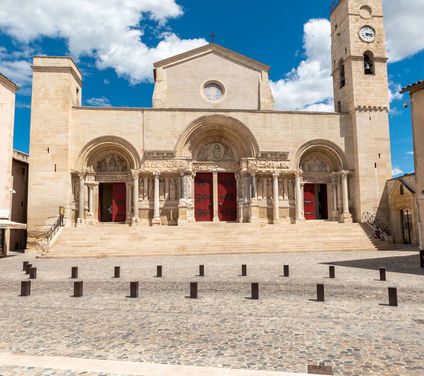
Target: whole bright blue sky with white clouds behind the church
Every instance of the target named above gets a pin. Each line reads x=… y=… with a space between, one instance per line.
x=115 y=46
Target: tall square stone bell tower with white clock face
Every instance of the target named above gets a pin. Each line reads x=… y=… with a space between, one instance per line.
x=361 y=90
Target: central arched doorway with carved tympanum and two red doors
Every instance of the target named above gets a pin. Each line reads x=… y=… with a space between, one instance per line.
x=216 y=145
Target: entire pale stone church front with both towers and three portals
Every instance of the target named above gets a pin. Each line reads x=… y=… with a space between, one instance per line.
x=212 y=147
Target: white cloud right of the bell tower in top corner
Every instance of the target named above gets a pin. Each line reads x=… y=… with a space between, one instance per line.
x=404 y=28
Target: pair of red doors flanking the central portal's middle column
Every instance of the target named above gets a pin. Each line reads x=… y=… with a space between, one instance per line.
x=226 y=197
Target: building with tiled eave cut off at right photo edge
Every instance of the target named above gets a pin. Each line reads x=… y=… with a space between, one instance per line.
x=417 y=107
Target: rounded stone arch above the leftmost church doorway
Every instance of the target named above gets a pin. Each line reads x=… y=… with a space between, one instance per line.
x=98 y=149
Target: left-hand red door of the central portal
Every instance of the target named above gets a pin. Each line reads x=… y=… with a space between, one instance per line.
x=203 y=191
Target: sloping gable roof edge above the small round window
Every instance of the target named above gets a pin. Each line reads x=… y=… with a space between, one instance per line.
x=217 y=49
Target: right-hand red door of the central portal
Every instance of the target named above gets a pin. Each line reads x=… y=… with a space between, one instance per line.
x=227 y=197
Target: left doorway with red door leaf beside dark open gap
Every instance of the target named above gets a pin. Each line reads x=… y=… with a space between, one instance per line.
x=112 y=205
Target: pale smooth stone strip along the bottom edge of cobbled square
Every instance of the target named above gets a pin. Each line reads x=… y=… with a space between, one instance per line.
x=124 y=367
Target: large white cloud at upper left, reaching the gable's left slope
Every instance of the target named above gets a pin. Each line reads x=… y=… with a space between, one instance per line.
x=108 y=30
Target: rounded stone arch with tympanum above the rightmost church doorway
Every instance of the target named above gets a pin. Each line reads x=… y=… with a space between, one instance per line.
x=321 y=156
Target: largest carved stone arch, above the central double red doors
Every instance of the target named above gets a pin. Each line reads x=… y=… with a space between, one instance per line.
x=220 y=129
